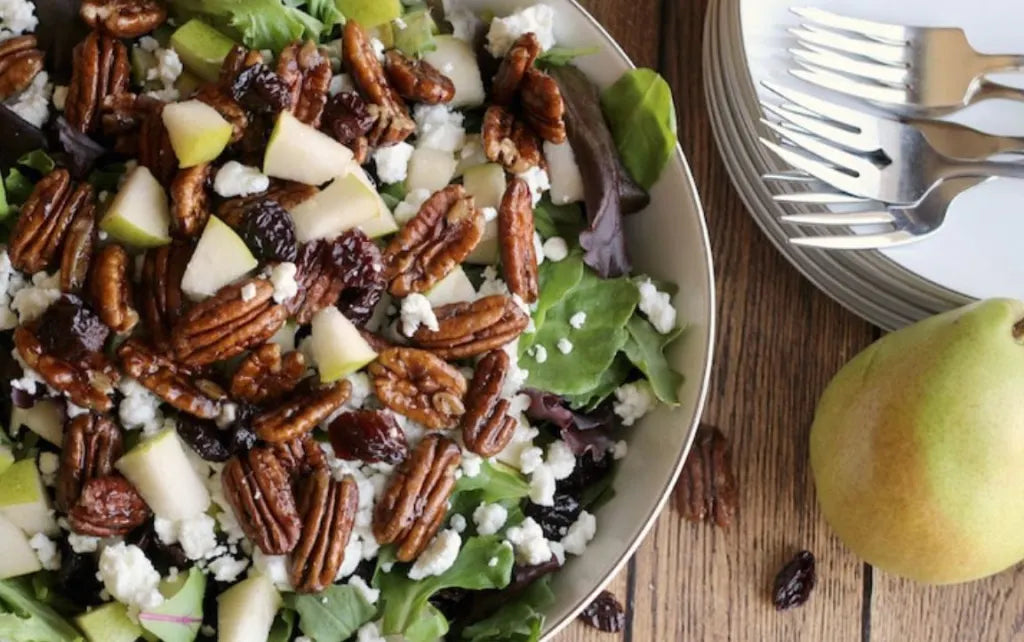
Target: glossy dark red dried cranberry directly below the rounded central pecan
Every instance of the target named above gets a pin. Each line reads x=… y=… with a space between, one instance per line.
x=371 y=437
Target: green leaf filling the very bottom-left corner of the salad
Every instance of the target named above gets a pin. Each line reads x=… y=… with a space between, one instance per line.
x=30 y=621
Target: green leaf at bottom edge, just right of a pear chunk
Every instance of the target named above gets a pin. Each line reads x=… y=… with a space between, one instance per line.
x=332 y=616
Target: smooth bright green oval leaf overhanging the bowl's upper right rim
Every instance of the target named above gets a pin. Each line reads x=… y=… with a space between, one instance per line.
x=643 y=117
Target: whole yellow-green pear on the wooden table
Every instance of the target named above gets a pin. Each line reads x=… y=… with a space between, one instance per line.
x=918 y=447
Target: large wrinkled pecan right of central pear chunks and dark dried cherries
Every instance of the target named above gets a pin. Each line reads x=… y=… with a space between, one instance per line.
x=434 y=243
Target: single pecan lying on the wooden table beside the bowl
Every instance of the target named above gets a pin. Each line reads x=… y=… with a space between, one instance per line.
x=707 y=488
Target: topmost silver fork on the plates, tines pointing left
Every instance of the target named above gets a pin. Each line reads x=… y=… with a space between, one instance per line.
x=932 y=70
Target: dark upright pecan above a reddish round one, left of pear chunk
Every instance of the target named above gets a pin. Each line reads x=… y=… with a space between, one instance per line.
x=92 y=445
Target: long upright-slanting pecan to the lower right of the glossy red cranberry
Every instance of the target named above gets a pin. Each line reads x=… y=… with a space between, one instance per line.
x=416 y=501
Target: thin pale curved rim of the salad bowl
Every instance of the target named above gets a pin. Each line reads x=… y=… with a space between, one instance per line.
x=552 y=629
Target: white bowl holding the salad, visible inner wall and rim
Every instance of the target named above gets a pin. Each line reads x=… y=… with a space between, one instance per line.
x=668 y=241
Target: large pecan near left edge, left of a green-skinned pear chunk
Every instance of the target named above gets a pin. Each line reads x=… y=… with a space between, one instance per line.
x=54 y=204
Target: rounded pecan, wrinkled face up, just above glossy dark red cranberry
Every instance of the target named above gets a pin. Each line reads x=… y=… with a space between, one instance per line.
x=419 y=386
